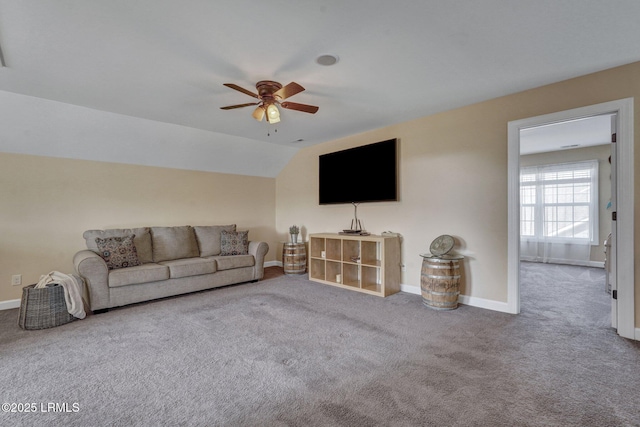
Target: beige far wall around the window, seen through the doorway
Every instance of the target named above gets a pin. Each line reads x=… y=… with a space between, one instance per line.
x=600 y=153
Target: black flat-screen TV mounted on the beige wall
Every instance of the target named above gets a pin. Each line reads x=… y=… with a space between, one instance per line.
x=362 y=174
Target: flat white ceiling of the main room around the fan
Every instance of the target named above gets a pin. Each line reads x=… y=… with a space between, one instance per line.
x=166 y=61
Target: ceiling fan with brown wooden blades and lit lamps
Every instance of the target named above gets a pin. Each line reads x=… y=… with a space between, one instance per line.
x=271 y=94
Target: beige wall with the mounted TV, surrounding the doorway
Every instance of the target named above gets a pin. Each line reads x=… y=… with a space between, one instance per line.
x=453 y=172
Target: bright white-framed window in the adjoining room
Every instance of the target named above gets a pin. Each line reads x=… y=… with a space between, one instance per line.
x=559 y=202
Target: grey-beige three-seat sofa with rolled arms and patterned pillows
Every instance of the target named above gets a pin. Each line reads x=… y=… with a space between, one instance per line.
x=126 y=266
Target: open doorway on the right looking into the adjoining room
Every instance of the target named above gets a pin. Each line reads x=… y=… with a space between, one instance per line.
x=565 y=212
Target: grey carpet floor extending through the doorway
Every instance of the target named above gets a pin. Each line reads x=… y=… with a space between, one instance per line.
x=289 y=352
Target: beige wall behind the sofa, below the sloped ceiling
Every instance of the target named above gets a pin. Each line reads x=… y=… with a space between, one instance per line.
x=47 y=203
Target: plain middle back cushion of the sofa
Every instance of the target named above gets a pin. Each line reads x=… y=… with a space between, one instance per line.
x=171 y=243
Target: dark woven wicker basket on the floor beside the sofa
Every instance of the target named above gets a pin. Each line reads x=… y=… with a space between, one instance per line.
x=43 y=308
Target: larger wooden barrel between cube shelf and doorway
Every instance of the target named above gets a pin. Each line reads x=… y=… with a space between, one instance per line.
x=440 y=281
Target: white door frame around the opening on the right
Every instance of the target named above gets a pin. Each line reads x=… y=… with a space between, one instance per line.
x=625 y=199
